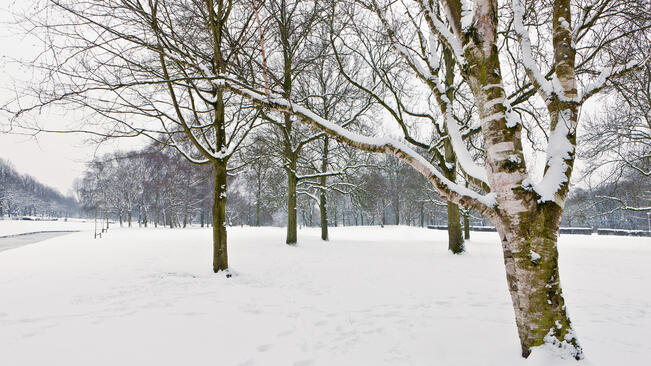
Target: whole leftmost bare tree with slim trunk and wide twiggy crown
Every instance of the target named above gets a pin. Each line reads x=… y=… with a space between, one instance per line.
x=146 y=69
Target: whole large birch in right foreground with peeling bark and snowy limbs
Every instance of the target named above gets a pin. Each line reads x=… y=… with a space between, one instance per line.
x=526 y=211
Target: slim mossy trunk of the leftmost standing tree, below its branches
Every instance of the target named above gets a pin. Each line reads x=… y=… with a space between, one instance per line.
x=220 y=254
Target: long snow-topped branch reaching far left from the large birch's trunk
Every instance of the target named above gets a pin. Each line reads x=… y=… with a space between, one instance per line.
x=446 y=188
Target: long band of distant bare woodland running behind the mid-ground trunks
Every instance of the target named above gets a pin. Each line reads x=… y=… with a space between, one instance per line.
x=156 y=187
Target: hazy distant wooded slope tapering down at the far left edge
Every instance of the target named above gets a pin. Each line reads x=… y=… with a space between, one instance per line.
x=22 y=195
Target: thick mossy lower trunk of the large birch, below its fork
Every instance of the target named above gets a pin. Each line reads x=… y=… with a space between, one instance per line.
x=531 y=261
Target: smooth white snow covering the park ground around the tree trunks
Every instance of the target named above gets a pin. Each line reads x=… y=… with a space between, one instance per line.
x=370 y=296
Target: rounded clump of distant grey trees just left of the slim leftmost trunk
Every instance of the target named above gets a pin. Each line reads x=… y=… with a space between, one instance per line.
x=148 y=187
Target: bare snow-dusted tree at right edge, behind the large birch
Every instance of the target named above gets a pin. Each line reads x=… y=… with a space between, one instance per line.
x=617 y=148
